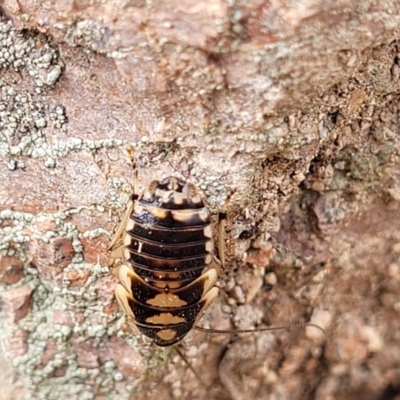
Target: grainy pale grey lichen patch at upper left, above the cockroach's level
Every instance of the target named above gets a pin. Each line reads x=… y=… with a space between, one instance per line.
x=24 y=116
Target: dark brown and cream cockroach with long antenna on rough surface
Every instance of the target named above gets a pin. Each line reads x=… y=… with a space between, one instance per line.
x=167 y=280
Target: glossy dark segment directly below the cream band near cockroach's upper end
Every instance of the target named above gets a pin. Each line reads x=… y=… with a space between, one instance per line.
x=168 y=236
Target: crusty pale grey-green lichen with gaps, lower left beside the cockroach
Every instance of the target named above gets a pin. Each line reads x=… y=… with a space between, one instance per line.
x=47 y=298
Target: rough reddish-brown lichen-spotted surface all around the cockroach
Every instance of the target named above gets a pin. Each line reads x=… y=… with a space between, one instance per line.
x=288 y=109
